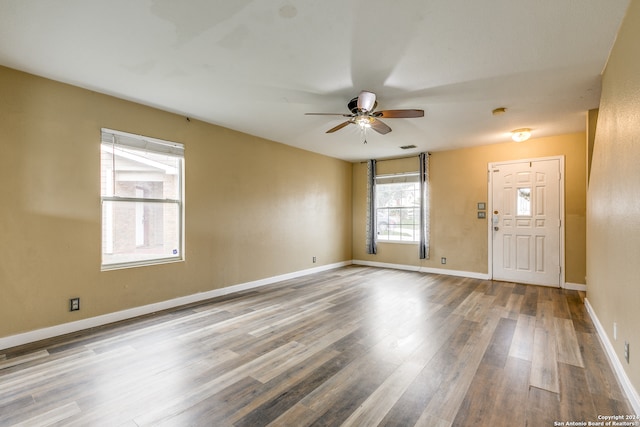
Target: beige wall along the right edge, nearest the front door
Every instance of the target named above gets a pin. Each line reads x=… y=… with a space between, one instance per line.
x=613 y=229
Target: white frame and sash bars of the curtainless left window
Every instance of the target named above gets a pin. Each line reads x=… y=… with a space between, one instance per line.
x=112 y=140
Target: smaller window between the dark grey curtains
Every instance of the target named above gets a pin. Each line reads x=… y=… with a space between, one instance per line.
x=398 y=207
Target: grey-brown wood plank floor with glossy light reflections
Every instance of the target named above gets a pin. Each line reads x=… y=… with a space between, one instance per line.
x=356 y=346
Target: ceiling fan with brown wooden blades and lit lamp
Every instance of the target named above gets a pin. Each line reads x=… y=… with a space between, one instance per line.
x=363 y=114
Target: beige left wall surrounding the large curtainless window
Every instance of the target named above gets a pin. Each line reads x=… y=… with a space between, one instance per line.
x=254 y=208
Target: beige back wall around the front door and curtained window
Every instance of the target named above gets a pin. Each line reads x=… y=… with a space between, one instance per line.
x=458 y=183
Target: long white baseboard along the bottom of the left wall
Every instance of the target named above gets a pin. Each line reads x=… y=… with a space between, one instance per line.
x=92 y=322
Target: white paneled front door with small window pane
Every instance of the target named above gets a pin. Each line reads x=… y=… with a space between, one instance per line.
x=525 y=221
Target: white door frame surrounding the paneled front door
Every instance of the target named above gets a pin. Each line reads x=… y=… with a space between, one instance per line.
x=561 y=194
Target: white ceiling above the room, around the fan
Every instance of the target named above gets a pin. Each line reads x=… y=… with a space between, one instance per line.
x=258 y=65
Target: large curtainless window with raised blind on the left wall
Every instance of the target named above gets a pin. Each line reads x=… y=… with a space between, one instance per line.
x=142 y=200
